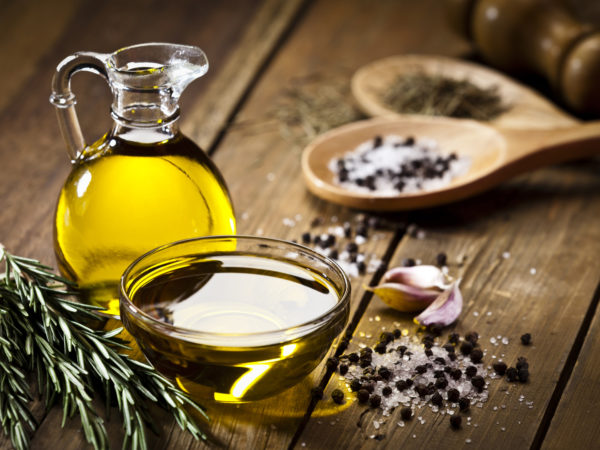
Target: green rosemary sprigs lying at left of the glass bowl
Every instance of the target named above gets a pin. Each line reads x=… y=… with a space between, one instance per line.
x=44 y=332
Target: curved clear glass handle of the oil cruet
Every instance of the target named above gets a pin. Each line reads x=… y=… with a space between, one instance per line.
x=64 y=100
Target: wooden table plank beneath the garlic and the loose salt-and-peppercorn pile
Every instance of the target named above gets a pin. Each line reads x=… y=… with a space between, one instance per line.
x=541 y=221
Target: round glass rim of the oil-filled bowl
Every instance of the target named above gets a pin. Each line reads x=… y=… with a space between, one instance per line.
x=239 y=339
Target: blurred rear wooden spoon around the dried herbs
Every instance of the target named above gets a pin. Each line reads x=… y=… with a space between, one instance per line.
x=526 y=108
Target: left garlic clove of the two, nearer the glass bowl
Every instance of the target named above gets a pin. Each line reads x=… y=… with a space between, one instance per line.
x=411 y=289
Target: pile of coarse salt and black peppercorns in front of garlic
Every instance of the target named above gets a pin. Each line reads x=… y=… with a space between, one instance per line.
x=401 y=371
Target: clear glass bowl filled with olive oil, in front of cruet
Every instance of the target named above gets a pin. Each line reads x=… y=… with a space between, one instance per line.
x=234 y=318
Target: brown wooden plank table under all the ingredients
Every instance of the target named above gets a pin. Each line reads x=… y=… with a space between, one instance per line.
x=259 y=50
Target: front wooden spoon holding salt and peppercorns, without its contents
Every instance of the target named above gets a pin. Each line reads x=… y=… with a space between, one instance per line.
x=496 y=154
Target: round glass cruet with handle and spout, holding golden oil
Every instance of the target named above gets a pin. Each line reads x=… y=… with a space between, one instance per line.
x=143 y=184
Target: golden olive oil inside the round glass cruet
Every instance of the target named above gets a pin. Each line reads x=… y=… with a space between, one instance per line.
x=124 y=198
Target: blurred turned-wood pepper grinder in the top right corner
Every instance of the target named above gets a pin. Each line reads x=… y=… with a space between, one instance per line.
x=536 y=36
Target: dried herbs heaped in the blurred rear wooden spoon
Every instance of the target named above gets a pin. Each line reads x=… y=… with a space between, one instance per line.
x=438 y=95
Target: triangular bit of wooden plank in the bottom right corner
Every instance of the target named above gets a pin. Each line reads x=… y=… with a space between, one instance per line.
x=575 y=423
